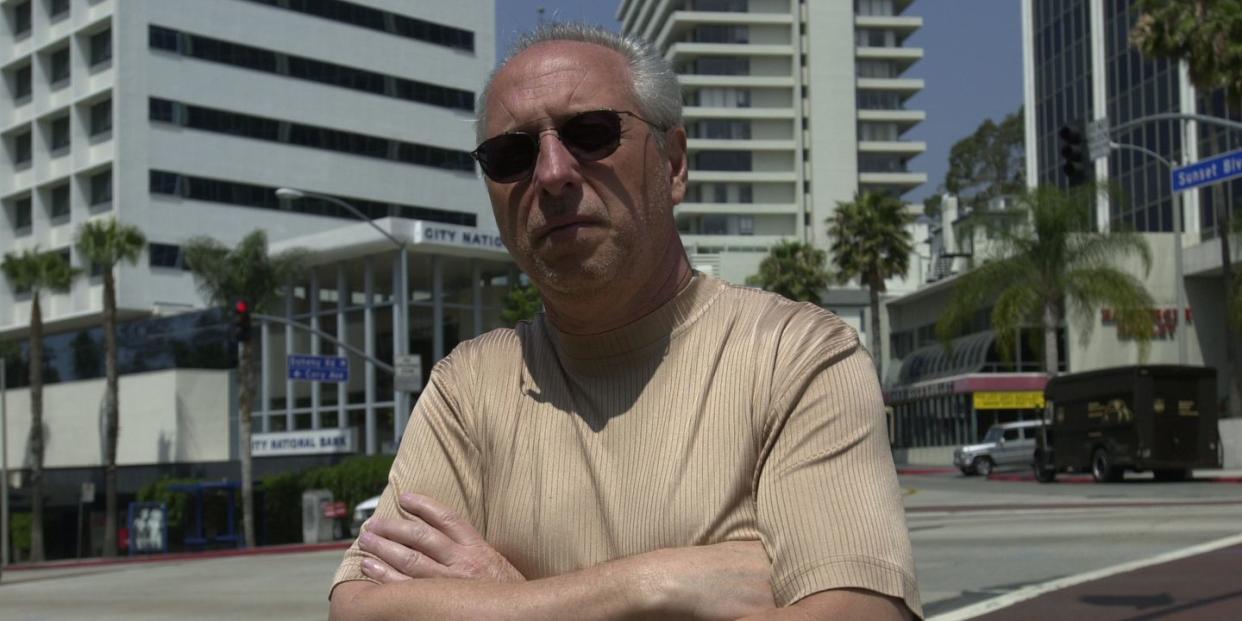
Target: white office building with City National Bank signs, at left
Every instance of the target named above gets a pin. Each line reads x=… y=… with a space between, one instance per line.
x=183 y=117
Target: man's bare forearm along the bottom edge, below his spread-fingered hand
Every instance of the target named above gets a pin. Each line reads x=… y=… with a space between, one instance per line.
x=620 y=589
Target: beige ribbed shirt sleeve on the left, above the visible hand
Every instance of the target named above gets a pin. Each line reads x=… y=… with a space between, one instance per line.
x=438 y=458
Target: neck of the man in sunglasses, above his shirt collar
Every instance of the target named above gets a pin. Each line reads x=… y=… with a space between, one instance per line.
x=612 y=309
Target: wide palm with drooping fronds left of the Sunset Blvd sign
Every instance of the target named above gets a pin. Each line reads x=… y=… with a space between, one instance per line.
x=1045 y=263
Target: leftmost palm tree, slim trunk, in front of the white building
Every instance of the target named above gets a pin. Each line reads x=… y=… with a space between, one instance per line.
x=38 y=273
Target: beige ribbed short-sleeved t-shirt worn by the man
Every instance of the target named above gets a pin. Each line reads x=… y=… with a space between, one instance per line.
x=728 y=414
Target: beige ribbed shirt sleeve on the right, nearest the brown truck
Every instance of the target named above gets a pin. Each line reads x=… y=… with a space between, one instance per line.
x=829 y=504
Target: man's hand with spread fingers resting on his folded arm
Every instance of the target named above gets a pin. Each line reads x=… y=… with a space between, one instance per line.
x=434 y=543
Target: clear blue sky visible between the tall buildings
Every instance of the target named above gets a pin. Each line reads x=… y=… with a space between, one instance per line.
x=972 y=65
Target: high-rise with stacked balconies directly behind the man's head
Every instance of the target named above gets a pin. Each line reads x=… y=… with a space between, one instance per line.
x=791 y=106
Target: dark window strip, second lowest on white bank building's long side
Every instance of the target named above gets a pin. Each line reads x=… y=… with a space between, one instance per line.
x=211 y=120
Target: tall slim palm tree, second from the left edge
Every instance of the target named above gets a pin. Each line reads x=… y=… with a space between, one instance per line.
x=105 y=244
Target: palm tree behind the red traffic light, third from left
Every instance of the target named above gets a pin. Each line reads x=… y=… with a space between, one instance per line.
x=245 y=273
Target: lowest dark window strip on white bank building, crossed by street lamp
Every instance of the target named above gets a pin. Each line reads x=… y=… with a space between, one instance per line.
x=248 y=196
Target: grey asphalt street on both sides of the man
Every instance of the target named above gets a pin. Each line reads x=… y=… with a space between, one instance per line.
x=977 y=543
